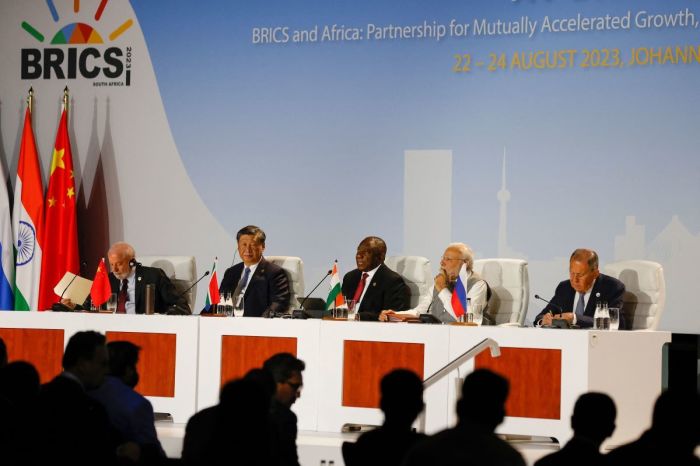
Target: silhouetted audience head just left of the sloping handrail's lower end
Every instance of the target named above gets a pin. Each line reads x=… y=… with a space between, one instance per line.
x=401 y=397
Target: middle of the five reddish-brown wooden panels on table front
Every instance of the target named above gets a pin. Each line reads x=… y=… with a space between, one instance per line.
x=240 y=353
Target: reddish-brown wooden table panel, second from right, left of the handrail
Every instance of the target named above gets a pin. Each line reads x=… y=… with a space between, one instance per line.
x=366 y=362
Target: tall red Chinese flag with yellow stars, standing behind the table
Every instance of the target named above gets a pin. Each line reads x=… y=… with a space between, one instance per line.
x=60 y=245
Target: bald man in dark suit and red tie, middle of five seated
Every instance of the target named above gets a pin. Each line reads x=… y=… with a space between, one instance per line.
x=373 y=285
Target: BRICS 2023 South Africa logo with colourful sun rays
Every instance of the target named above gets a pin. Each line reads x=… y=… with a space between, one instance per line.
x=75 y=53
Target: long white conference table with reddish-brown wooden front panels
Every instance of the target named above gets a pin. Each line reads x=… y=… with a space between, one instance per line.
x=185 y=360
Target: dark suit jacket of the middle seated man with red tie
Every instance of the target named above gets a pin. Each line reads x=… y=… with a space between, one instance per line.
x=387 y=290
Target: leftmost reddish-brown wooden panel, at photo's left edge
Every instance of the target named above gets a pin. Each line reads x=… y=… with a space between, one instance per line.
x=41 y=347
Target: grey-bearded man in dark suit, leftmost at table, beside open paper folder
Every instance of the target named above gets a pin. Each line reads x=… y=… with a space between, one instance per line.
x=129 y=278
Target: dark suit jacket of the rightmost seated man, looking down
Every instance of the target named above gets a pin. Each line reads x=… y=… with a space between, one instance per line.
x=611 y=291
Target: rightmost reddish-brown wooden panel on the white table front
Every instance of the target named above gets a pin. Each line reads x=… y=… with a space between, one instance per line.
x=535 y=380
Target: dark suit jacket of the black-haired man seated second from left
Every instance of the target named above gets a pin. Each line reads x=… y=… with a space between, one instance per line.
x=267 y=292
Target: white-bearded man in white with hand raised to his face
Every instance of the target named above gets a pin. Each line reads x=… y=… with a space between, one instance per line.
x=438 y=301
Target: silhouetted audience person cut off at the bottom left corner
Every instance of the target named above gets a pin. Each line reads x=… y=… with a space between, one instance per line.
x=19 y=392
